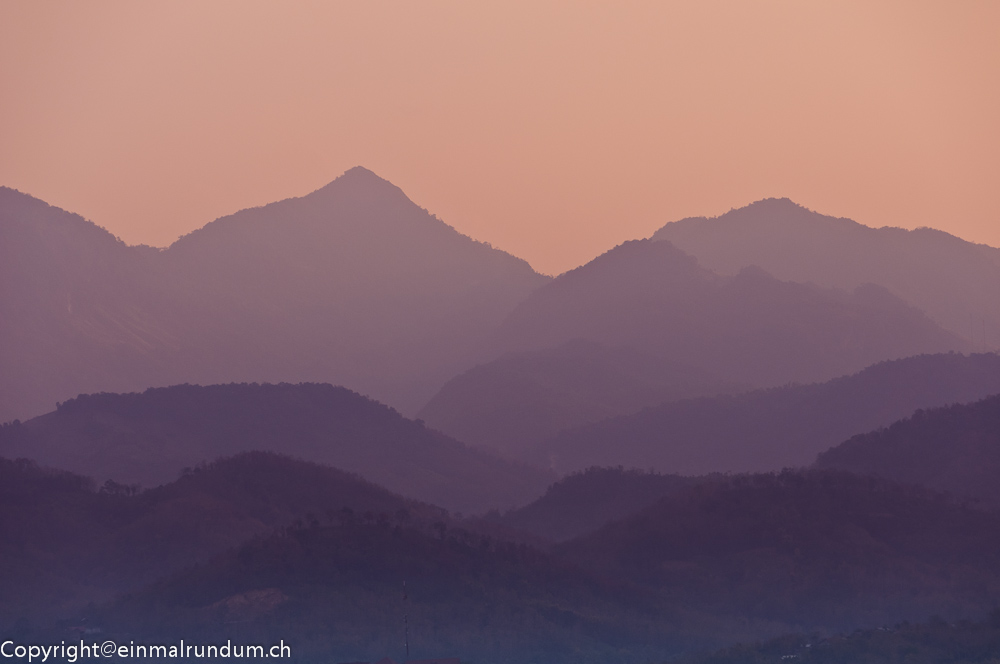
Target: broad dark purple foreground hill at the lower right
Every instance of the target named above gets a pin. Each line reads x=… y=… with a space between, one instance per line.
x=809 y=549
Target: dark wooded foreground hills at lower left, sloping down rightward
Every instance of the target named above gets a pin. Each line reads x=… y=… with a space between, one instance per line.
x=288 y=548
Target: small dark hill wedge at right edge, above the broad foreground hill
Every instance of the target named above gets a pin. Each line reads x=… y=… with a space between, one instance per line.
x=954 y=449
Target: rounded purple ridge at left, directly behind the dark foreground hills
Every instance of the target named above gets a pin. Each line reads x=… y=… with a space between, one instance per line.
x=149 y=438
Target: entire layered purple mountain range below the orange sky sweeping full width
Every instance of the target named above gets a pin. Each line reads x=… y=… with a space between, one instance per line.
x=337 y=421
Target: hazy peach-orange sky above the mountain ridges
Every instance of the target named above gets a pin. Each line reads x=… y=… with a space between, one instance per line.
x=552 y=130
